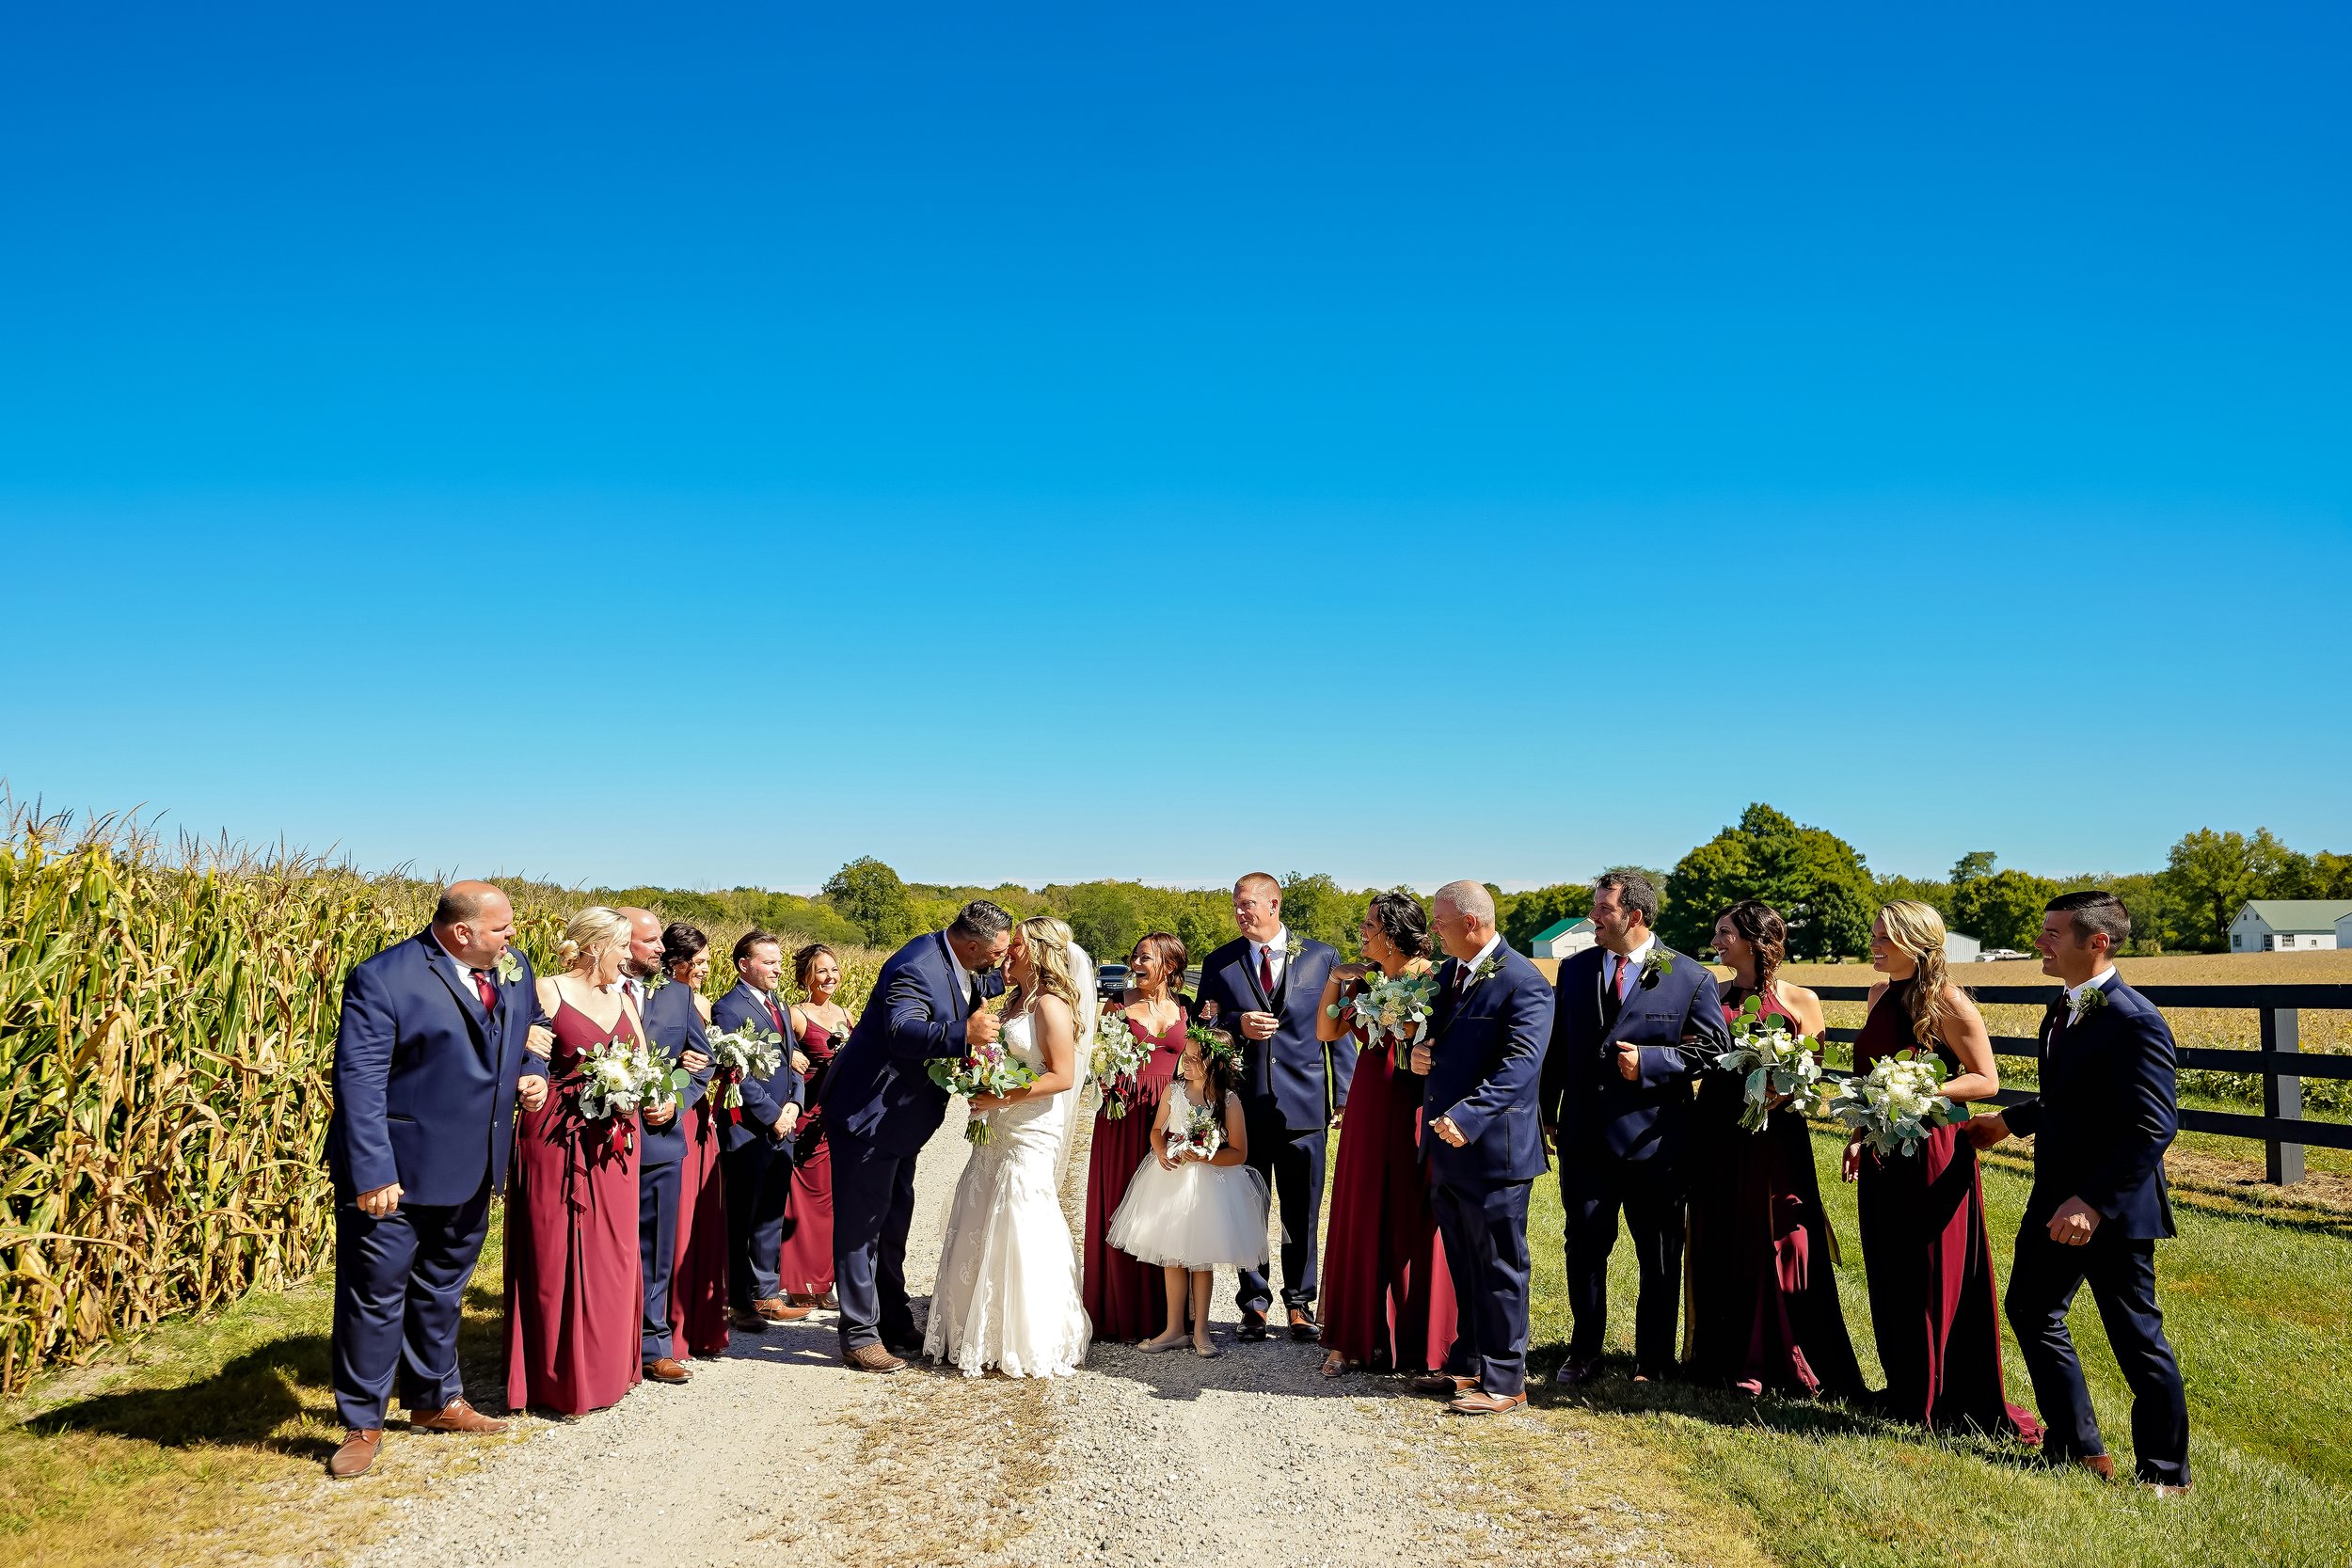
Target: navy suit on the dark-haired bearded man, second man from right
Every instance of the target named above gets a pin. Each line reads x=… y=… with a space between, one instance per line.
x=1622 y=1141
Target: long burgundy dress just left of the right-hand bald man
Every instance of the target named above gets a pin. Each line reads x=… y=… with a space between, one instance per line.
x=1387 y=1292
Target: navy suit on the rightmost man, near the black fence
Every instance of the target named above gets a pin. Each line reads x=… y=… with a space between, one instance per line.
x=2102 y=1125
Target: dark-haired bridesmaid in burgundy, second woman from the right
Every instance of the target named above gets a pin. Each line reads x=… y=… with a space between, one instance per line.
x=1763 y=1287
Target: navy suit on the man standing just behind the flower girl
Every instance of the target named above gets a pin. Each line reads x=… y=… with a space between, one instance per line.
x=1290 y=1087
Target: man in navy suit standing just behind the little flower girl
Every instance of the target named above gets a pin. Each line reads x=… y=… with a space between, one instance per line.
x=1267 y=989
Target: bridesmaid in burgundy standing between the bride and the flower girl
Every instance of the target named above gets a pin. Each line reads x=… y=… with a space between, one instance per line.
x=1125 y=1299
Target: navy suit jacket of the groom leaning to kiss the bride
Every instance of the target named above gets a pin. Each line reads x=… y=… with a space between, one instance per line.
x=881 y=1085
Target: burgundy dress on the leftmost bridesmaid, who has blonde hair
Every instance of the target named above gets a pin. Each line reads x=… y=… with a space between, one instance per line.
x=575 y=1287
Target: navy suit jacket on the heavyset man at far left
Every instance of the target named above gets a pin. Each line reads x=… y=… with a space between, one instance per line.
x=425 y=1083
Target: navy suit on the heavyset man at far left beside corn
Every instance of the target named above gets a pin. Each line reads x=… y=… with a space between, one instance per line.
x=425 y=1097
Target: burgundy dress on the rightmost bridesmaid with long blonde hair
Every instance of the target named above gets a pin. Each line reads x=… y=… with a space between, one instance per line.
x=1935 y=1304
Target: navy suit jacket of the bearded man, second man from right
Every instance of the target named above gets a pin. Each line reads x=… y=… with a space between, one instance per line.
x=1584 y=1094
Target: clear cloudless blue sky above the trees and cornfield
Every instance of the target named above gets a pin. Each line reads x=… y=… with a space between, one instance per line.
x=1041 y=443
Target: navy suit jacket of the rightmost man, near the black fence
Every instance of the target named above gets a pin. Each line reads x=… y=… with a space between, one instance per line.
x=2104 y=1118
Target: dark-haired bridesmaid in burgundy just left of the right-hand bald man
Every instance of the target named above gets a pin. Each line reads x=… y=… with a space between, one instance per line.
x=1389 y=1301
